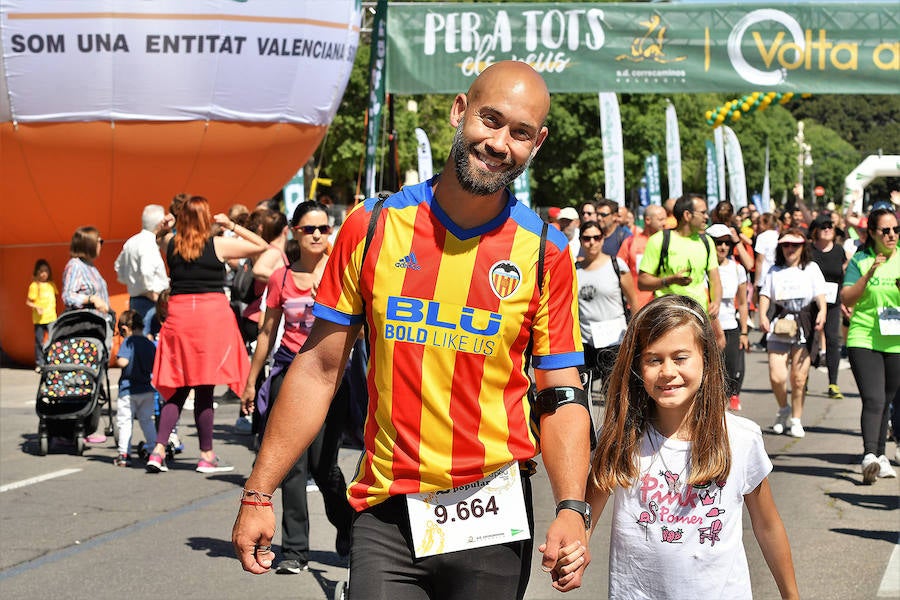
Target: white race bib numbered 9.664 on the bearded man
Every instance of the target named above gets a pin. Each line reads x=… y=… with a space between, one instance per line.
x=487 y=512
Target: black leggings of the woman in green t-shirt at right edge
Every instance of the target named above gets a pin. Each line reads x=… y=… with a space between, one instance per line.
x=877 y=377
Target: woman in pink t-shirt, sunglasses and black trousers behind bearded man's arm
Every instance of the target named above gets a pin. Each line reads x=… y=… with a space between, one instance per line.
x=290 y=295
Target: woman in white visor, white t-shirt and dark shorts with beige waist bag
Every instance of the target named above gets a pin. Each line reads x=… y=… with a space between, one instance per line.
x=792 y=312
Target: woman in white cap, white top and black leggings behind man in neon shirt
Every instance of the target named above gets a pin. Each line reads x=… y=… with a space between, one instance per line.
x=733 y=312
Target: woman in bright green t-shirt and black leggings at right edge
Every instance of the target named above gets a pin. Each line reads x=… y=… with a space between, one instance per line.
x=873 y=341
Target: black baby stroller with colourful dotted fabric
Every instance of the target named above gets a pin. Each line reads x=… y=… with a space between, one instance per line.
x=74 y=386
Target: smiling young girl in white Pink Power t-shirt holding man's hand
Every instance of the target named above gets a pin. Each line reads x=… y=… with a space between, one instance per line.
x=679 y=468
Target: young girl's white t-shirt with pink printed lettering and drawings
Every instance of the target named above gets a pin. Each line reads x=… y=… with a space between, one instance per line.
x=685 y=543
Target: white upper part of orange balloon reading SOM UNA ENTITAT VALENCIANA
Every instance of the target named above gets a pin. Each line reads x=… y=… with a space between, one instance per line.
x=171 y=60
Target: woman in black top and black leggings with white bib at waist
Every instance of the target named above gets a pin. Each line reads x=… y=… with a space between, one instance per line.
x=832 y=261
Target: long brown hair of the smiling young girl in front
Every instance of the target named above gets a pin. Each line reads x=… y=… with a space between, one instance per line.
x=629 y=408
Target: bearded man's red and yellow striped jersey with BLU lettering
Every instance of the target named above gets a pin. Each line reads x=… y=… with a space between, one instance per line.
x=450 y=313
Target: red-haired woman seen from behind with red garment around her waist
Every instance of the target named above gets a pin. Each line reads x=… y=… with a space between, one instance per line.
x=199 y=343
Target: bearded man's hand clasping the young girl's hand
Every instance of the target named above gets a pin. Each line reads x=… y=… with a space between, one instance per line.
x=565 y=534
